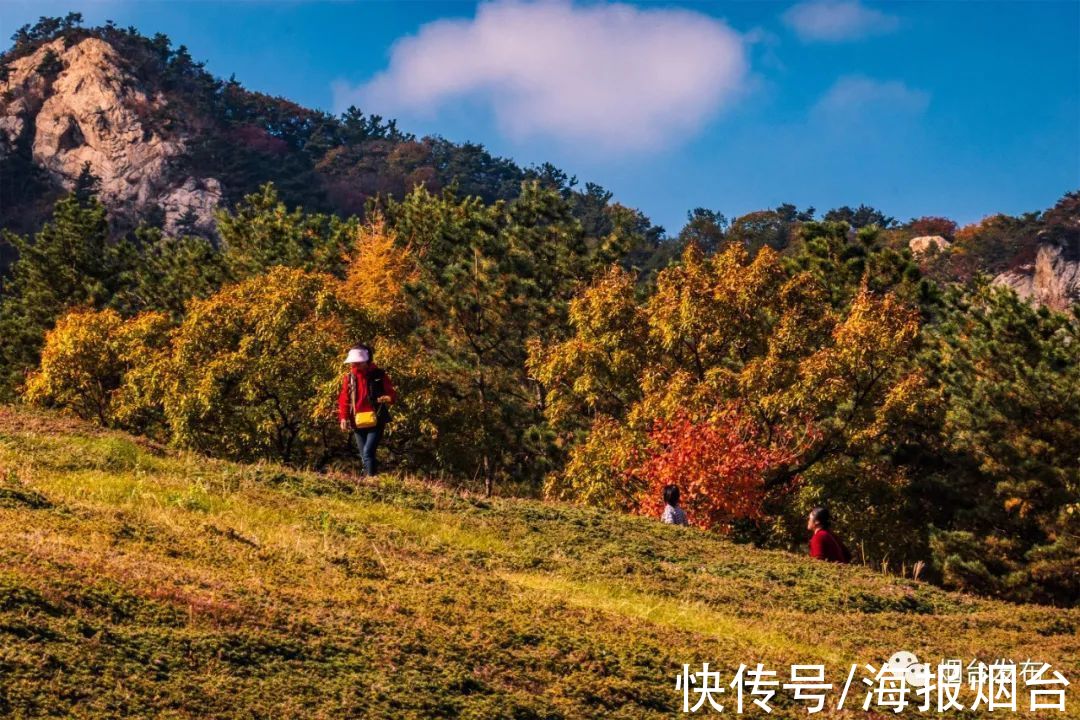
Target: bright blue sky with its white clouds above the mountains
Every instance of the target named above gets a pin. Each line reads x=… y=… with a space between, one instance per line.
x=920 y=108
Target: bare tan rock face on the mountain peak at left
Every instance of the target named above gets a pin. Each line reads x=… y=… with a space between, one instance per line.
x=87 y=108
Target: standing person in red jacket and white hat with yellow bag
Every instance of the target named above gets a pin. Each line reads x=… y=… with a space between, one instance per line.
x=364 y=404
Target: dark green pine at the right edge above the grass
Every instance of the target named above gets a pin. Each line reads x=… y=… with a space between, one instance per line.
x=1010 y=383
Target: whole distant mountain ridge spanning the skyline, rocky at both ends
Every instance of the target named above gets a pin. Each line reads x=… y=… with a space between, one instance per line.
x=166 y=143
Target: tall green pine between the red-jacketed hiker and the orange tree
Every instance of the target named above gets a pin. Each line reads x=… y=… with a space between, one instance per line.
x=493 y=278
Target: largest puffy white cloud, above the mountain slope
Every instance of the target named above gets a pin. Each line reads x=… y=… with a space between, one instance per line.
x=610 y=76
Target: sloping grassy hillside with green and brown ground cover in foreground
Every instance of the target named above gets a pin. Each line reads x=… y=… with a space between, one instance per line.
x=142 y=583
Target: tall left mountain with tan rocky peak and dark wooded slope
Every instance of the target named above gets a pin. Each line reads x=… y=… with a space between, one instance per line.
x=170 y=143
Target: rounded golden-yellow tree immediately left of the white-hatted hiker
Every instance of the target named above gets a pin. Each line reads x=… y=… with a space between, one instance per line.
x=251 y=368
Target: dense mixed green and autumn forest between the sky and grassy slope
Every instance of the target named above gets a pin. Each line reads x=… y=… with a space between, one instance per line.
x=549 y=341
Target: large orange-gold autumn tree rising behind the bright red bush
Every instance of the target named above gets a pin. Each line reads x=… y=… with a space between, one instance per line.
x=821 y=376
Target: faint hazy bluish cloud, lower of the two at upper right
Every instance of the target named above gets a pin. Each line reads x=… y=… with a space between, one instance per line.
x=855 y=98
